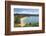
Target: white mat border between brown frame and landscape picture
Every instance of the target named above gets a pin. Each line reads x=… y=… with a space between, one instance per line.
x=25 y=28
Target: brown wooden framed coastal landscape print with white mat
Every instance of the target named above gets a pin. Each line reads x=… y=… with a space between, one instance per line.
x=24 y=17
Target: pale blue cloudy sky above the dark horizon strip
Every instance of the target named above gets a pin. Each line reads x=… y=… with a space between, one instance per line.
x=26 y=11
